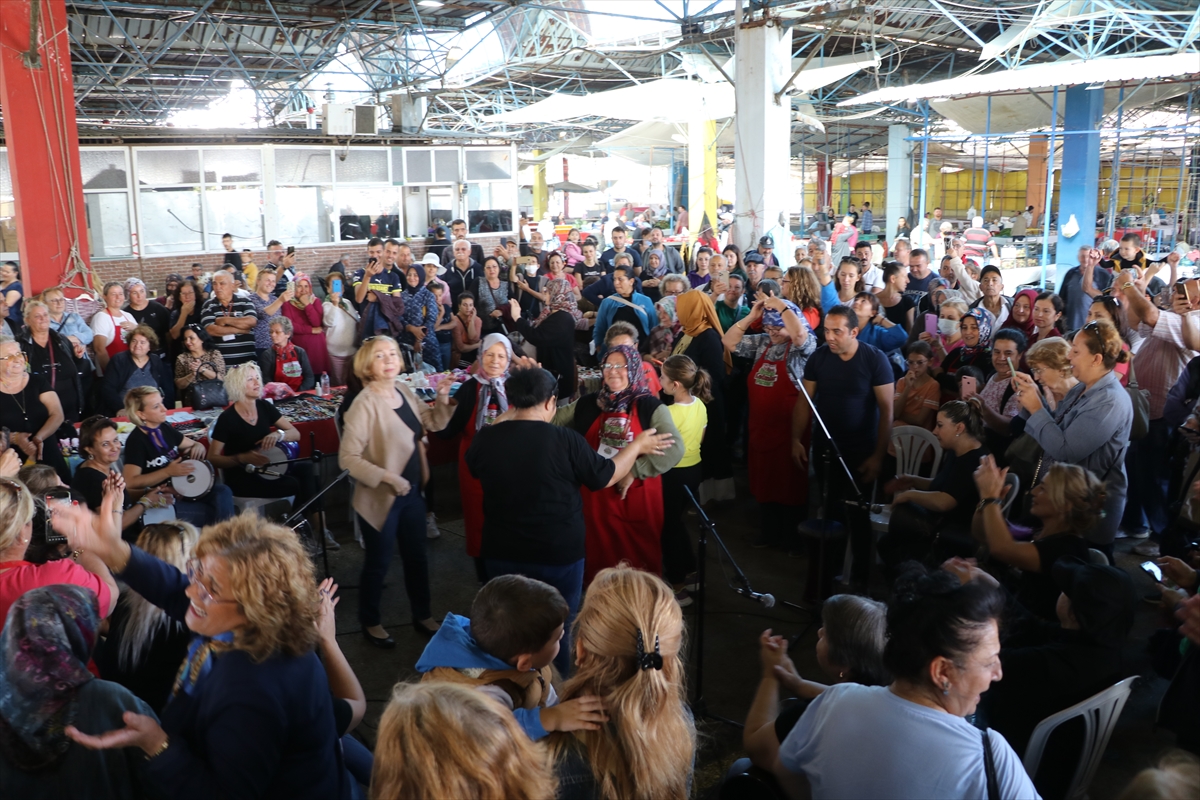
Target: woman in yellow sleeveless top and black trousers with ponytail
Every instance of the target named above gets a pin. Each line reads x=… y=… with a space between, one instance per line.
x=687 y=384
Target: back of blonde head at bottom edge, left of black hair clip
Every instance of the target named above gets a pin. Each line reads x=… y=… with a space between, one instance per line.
x=446 y=741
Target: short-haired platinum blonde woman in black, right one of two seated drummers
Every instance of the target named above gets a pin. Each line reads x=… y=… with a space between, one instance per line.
x=244 y=431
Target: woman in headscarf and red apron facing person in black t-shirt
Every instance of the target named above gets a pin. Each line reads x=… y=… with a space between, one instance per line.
x=625 y=522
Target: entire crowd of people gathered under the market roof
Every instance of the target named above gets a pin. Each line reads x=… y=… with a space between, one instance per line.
x=219 y=661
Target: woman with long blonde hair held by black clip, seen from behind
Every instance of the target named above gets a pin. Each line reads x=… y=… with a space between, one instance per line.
x=629 y=641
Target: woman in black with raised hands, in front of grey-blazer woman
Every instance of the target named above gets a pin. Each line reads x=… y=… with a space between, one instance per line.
x=1069 y=502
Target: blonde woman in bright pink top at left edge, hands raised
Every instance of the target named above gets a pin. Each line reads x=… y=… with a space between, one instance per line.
x=19 y=534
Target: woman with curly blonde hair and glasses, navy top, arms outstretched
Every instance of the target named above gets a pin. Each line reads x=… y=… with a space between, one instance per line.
x=250 y=713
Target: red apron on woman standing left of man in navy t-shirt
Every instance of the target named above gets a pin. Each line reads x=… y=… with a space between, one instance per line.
x=775 y=477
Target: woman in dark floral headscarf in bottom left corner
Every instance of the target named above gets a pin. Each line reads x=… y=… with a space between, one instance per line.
x=46 y=688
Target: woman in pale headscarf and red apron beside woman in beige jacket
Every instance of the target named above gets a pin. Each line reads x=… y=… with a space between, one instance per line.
x=478 y=404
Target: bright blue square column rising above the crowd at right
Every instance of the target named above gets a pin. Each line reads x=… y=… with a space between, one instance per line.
x=1079 y=182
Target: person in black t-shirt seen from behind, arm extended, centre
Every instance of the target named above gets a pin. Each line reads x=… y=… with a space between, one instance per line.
x=531 y=472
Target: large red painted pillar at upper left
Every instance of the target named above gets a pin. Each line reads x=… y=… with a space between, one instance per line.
x=38 y=101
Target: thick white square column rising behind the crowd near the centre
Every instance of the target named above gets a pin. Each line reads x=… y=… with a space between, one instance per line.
x=763 y=129
